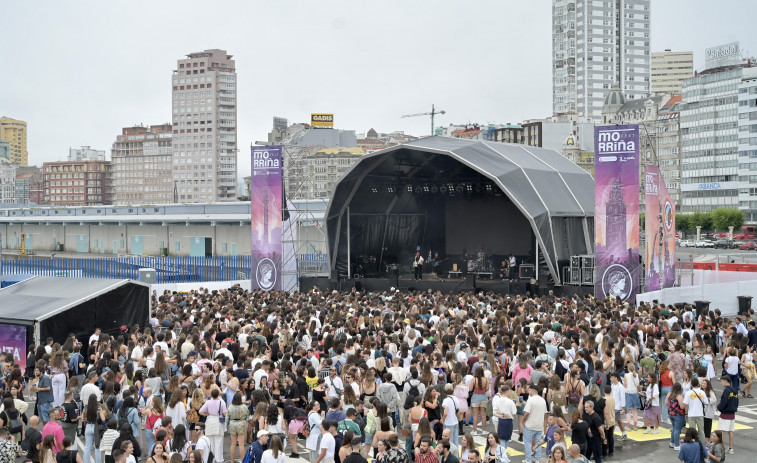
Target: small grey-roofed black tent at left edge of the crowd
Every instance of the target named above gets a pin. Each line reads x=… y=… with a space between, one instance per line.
x=54 y=307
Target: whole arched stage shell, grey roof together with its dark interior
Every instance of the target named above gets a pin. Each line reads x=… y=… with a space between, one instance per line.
x=451 y=194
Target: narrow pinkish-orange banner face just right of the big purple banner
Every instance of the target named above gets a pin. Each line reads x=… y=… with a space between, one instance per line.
x=652 y=236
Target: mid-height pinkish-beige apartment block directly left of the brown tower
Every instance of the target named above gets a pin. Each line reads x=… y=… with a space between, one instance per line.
x=142 y=165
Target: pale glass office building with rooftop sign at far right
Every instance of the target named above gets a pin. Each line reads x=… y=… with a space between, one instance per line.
x=713 y=174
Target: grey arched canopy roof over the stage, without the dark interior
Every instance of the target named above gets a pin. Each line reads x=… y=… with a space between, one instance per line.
x=553 y=194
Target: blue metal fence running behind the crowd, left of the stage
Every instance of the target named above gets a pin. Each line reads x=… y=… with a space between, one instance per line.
x=167 y=269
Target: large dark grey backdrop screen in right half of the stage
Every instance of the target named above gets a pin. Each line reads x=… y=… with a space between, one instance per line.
x=494 y=224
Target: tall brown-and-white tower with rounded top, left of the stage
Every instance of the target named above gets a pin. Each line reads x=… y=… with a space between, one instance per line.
x=204 y=127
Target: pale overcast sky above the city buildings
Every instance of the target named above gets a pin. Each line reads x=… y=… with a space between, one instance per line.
x=78 y=72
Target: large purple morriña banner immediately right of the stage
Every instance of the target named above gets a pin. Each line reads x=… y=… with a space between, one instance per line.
x=616 y=211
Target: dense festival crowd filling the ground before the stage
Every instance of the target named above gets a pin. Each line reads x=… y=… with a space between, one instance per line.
x=396 y=376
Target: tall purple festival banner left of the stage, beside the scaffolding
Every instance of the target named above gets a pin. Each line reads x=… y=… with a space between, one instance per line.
x=265 y=199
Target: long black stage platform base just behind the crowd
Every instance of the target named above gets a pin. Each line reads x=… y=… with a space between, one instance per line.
x=444 y=285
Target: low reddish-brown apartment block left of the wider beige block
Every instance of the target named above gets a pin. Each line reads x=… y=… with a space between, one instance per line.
x=77 y=183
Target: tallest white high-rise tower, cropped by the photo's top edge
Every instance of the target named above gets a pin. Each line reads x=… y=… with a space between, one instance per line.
x=596 y=44
